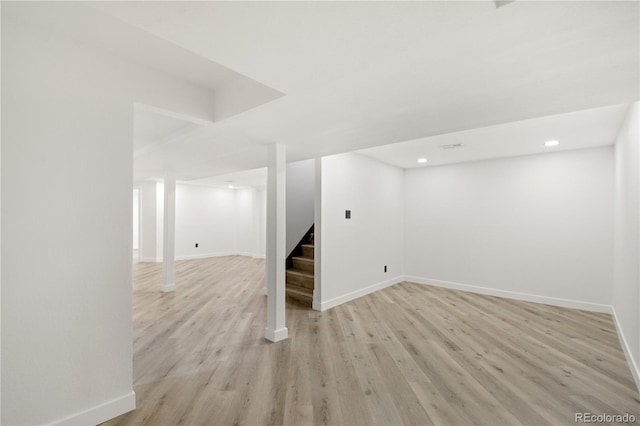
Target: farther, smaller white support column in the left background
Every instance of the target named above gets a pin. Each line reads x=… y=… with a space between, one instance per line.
x=169 y=235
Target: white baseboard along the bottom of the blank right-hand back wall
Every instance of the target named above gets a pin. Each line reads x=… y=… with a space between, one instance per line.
x=554 y=301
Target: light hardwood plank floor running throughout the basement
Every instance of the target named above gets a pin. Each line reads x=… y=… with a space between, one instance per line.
x=409 y=354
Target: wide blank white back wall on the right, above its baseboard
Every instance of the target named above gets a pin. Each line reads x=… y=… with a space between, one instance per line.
x=534 y=227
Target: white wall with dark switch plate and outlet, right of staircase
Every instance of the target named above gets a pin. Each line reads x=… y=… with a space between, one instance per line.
x=355 y=251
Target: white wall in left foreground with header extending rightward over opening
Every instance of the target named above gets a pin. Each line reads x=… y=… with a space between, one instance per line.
x=67 y=164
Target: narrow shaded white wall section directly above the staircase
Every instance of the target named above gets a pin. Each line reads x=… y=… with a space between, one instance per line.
x=300 y=201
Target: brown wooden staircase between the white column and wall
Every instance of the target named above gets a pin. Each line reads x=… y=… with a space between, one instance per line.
x=300 y=270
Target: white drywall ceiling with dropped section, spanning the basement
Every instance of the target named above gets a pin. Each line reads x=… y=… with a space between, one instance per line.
x=332 y=77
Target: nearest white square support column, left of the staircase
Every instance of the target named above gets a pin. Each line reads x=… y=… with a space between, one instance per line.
x=276 y=243
